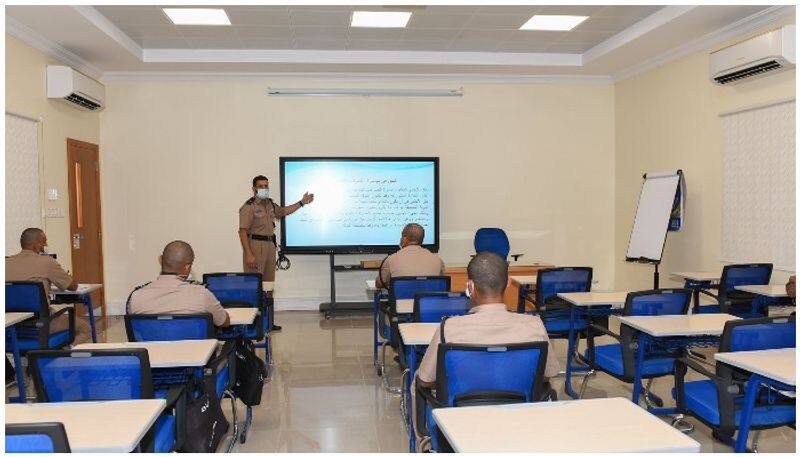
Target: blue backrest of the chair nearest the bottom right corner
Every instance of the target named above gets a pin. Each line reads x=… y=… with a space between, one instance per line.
x=757 y=334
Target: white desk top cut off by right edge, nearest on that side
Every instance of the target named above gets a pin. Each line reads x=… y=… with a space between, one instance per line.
x=777 y=364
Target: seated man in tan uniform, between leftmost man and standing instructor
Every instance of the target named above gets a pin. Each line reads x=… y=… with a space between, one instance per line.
x=172 y=293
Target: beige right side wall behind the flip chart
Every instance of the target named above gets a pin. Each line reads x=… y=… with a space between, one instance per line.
x=667 y=119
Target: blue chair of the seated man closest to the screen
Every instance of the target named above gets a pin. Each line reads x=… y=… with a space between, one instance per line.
x=402 y=288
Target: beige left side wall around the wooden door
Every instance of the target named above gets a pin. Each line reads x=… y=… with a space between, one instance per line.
x=26 y=96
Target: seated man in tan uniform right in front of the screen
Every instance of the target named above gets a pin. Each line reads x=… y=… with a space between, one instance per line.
x=411 y=260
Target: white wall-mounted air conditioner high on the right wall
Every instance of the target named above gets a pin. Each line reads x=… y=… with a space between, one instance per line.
x=765 y=54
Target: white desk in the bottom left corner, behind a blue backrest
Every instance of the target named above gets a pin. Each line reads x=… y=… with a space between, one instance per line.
x=103 y=426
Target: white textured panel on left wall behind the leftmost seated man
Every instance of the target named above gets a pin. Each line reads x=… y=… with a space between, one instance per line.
x=23 y=201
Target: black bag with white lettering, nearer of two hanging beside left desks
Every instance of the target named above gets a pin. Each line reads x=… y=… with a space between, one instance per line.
x=205 y=421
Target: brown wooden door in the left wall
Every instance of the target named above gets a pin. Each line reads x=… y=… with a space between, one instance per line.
x=83 y=170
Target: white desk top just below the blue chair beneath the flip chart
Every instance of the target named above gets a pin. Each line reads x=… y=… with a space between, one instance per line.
x=684 y=325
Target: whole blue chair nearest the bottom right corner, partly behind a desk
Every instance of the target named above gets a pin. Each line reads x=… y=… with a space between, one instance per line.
x=716 y=401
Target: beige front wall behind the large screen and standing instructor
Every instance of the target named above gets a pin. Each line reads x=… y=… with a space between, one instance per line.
x=536 y=160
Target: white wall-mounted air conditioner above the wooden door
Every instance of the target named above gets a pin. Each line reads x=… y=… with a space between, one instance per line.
x=75 y=88
